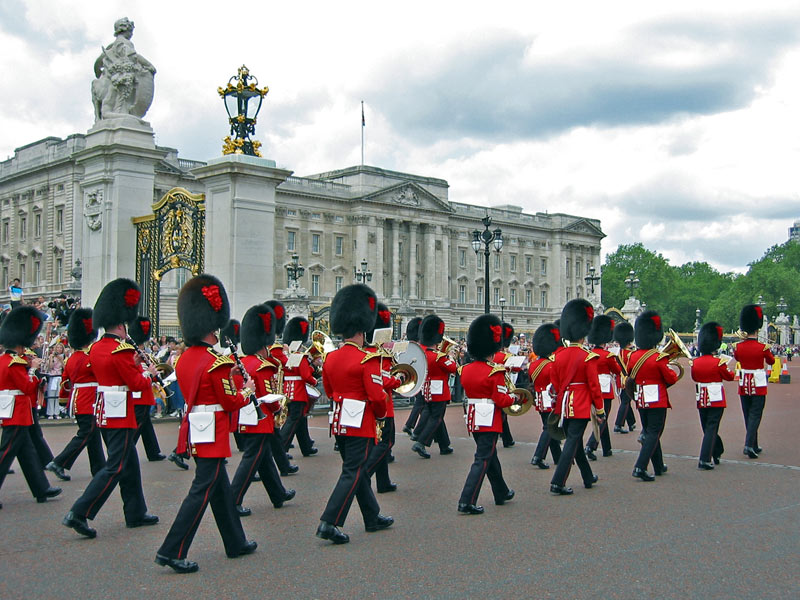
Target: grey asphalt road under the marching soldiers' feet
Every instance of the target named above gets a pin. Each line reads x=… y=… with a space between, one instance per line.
x=729 y=533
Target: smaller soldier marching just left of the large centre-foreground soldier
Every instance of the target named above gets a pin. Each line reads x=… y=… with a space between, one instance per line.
x=294 y=388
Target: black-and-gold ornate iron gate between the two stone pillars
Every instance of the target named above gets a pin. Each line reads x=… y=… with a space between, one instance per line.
x=172 y=237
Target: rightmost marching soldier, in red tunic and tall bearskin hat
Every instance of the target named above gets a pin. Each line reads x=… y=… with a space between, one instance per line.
x=751 y=355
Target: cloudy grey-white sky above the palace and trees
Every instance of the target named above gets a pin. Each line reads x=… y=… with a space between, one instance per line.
x=677 y=126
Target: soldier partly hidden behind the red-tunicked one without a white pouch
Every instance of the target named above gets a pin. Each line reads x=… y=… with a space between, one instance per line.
x=546 y=340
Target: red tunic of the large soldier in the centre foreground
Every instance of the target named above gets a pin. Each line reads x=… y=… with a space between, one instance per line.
x=345 y=376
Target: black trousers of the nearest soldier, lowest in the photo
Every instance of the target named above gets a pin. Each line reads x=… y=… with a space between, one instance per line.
x=210 y=486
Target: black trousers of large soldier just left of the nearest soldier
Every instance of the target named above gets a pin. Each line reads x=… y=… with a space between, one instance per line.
x=122 y=466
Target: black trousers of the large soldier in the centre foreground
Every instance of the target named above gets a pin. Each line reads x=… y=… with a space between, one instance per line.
x=353 y=483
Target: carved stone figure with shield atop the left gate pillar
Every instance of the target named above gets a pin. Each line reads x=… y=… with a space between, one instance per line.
x=124 y=84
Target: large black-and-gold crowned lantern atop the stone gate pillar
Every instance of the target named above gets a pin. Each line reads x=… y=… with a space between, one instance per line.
x=243 y=99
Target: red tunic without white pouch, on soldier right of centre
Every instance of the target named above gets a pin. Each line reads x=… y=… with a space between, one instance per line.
x=576 y=394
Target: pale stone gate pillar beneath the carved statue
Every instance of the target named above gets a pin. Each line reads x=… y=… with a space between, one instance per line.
x=119 y=174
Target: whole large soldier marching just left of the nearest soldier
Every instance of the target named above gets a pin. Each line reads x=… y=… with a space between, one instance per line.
x=119 y=374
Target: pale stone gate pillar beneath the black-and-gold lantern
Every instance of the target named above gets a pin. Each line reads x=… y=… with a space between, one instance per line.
x=240 y=221
